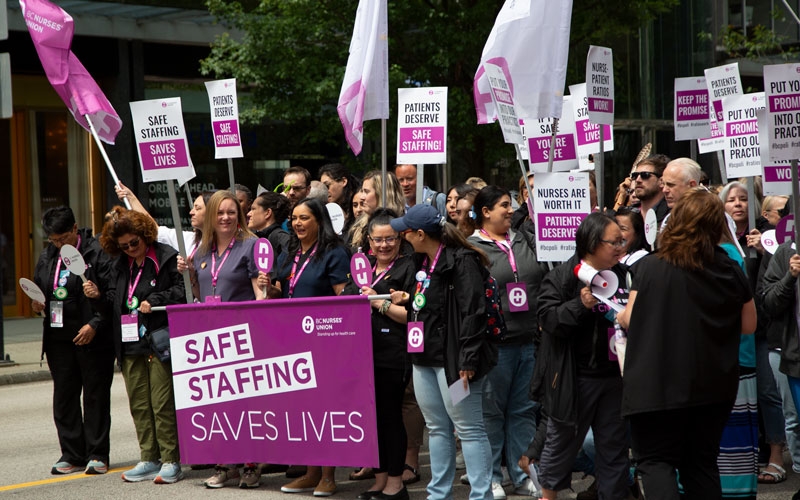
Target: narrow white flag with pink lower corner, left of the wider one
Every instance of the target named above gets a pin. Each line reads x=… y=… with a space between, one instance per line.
x=365 y=89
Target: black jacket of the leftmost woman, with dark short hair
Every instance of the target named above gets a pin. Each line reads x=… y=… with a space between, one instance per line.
x=78 y=310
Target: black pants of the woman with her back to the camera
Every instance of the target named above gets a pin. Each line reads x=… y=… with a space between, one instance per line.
x=685 y=439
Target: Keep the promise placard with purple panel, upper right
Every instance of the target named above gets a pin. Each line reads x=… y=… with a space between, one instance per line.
x=691 y=109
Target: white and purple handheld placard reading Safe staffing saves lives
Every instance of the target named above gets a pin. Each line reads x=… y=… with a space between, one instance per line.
x=161 y=139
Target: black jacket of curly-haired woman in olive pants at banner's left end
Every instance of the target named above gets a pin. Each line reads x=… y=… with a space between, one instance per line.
x=168 y=289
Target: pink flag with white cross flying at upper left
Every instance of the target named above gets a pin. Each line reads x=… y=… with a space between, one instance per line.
x=51 y=30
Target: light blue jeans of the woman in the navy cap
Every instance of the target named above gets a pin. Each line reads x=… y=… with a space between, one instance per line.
x=433 y=397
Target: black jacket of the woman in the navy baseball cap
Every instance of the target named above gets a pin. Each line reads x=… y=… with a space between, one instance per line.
x=455 y=316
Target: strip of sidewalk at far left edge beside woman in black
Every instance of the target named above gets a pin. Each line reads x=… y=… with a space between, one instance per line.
x=22 y=340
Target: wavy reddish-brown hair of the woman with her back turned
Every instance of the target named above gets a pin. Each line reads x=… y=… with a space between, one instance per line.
x=694 y=228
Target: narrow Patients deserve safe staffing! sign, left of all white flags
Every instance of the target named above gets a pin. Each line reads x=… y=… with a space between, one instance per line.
x=225 y=118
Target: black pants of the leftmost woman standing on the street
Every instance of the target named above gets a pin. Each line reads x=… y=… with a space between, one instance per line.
x=83 y=436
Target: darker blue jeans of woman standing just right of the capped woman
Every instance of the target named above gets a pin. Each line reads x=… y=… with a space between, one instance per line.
x=508 y=412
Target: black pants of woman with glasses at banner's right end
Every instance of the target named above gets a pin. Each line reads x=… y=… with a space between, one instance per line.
x=390 y=386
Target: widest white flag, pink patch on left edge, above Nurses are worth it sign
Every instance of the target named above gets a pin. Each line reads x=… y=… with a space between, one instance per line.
x=530 y=42
